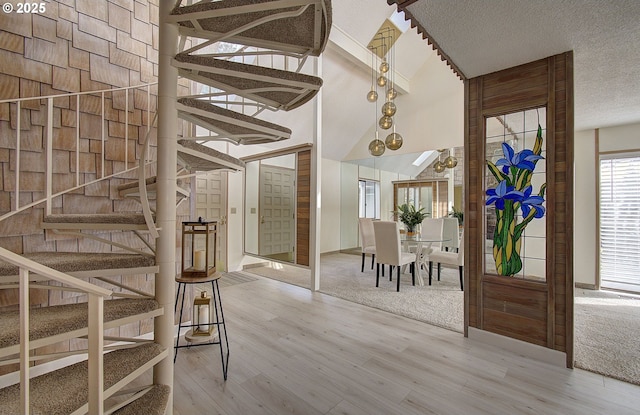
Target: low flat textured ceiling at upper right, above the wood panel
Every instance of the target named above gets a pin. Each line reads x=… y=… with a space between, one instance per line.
x=481 y=37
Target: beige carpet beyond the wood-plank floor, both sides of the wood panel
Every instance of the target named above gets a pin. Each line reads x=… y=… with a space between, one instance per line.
x=607 y=325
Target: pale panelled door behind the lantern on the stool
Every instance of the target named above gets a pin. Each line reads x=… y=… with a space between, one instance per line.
x=211 y=205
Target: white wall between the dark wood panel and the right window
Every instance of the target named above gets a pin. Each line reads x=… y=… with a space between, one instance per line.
x=620 y=138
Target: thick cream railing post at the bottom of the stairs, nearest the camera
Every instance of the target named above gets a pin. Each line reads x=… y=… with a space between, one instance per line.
x=96 y=360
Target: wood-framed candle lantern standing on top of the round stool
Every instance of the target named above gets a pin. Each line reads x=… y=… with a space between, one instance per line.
x=199 y=248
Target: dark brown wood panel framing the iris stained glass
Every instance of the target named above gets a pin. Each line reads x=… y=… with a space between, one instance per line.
x=540 y=313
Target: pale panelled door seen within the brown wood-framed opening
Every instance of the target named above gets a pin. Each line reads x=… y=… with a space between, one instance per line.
x=277 y=207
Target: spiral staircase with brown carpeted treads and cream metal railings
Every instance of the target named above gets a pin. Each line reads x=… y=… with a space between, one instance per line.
x=235 y=84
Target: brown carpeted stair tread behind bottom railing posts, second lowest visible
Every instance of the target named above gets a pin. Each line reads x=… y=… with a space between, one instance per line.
x=65 y=390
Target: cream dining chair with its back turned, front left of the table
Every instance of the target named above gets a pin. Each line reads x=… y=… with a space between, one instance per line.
x=389 y=252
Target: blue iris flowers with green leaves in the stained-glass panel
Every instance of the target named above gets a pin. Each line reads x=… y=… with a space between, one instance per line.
x=514 y=193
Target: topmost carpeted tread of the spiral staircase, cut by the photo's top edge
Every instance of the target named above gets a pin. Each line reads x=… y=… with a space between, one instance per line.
x=287 y=34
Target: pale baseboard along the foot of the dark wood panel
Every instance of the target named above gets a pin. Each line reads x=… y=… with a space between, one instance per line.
x=519 y=347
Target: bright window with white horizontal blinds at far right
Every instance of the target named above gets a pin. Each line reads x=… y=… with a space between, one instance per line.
x=620 y=222
